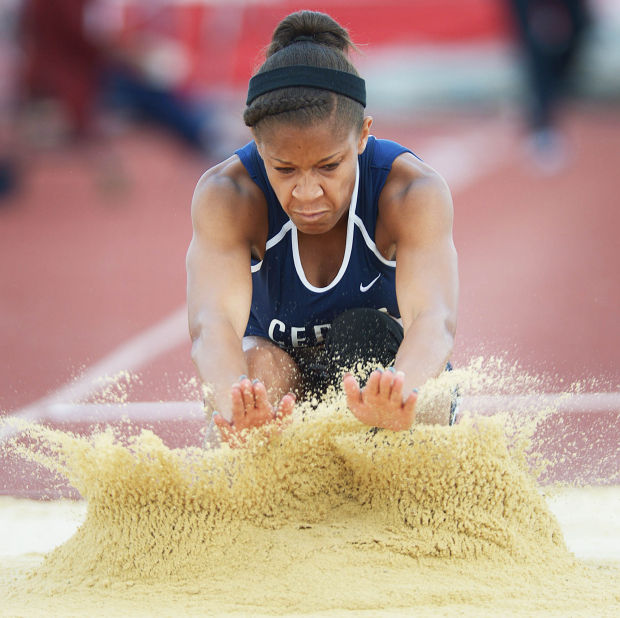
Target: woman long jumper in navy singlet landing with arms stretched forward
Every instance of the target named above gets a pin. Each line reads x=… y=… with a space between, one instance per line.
x=317 y=247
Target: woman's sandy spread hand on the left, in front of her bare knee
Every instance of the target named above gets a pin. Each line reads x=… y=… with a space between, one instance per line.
x=251 y=409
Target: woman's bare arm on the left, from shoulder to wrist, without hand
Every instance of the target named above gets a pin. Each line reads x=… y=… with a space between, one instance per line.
x=219 y=284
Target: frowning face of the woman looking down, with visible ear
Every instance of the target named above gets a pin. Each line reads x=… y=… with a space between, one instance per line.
x=312 y=170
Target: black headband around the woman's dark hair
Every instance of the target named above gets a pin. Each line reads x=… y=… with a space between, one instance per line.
x=340 y=82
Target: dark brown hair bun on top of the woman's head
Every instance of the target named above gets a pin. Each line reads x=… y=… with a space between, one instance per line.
x=309 y=27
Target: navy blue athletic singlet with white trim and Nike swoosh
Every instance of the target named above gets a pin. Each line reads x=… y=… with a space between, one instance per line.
x=286 y=307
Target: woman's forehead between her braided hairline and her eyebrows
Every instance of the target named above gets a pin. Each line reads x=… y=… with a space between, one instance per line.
x=304 y=144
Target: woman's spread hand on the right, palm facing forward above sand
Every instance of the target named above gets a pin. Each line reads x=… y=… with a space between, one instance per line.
x=381 y=403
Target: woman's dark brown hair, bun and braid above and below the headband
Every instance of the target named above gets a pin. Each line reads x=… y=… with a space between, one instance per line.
x=306 y=38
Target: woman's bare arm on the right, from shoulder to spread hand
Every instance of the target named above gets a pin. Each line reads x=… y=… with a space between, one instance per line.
x=416 y=223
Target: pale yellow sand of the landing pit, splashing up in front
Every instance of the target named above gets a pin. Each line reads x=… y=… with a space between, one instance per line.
x=326 y=519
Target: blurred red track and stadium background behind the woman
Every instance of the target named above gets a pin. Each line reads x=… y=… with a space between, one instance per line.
x=111 y=110
